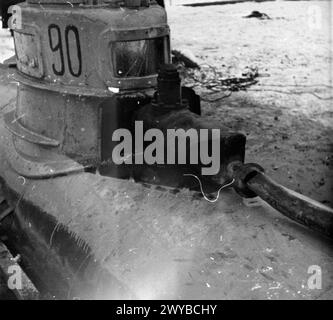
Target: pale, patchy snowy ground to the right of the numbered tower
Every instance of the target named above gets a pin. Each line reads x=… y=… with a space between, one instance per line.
x=287 y=116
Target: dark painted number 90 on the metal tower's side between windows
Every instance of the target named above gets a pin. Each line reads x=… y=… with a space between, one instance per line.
x=72 y=48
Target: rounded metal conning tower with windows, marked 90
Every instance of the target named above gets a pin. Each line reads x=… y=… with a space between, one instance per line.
x=74 y=61
